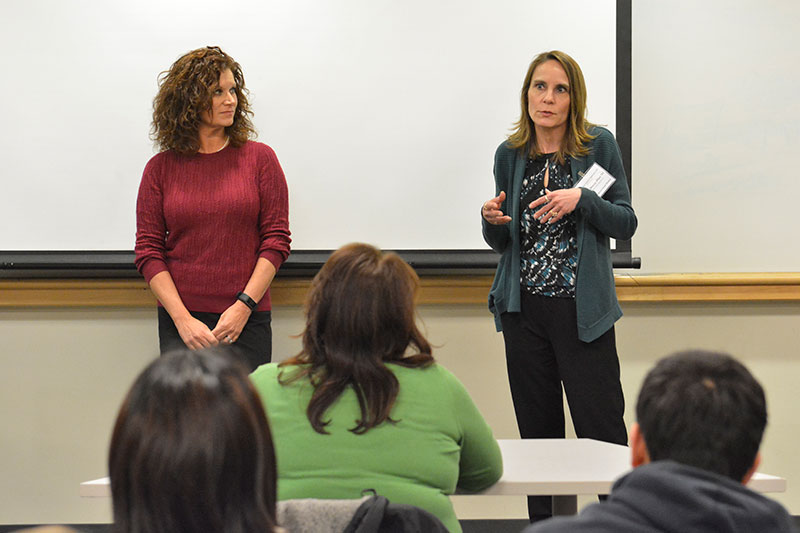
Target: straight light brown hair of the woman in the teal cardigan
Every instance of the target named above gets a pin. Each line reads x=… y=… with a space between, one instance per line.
x=523 y=136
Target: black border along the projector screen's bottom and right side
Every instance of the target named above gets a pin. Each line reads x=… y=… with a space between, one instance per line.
x=119 y=264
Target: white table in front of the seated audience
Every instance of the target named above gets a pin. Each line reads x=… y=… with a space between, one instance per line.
x=563 y=468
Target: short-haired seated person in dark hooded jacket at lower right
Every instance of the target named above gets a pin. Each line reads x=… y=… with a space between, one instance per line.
x=701 y=416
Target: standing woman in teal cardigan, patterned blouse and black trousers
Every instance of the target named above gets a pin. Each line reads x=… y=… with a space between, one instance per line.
x=553 y=295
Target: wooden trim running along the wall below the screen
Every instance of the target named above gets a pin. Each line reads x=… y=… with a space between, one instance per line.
x=435 y=290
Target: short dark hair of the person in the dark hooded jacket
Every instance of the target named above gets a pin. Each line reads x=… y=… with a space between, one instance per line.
x=703 y=409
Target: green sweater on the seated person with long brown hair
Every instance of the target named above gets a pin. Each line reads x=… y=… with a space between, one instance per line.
x=439 y=442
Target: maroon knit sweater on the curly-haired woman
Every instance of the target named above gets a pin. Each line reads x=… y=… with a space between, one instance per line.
x=207 y=218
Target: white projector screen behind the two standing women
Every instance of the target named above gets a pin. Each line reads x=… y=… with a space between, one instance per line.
x=385 y=115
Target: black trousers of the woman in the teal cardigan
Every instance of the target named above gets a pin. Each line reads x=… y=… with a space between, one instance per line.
x=542 y=353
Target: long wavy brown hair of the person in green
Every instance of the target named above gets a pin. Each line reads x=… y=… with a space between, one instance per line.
x=360 y=314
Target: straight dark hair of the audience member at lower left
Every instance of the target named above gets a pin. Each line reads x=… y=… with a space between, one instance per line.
x=191 y=449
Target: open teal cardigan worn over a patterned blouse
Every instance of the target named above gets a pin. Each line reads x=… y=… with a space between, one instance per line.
x=597 y=219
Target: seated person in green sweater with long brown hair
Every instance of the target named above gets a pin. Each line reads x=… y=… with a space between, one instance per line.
x=364 y=406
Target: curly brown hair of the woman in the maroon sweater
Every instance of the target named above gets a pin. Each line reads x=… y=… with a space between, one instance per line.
x=185 y=92
